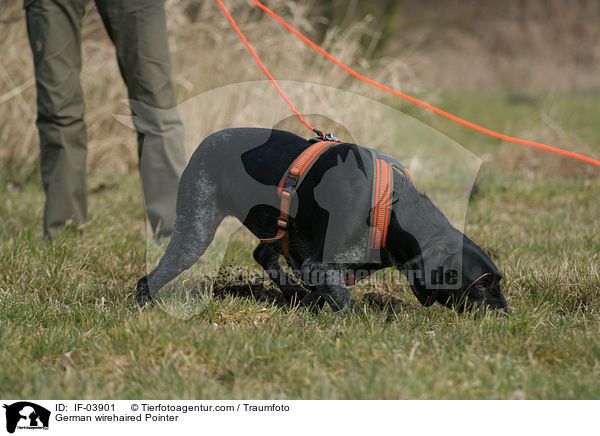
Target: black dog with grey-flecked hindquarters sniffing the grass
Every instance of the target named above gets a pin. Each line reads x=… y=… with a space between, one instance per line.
x=235 y=172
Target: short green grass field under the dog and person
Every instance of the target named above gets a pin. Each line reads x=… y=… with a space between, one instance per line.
x=537 y=215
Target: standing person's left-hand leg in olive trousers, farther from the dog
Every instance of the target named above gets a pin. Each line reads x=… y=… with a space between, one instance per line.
x=54 y=34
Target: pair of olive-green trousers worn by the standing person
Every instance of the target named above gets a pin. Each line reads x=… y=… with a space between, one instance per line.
x=138 y=30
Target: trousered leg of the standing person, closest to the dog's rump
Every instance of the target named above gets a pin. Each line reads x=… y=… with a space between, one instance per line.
x=138 y=30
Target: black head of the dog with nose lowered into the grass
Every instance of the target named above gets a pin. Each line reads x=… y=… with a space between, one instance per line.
x=458 y=274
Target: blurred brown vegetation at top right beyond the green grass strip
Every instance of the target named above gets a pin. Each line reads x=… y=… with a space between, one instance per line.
x=483 y=45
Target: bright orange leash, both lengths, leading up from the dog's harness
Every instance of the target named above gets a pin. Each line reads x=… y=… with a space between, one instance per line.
x=386 y=89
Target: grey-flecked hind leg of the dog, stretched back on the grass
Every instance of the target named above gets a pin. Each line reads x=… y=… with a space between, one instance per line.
x=198 y=217
